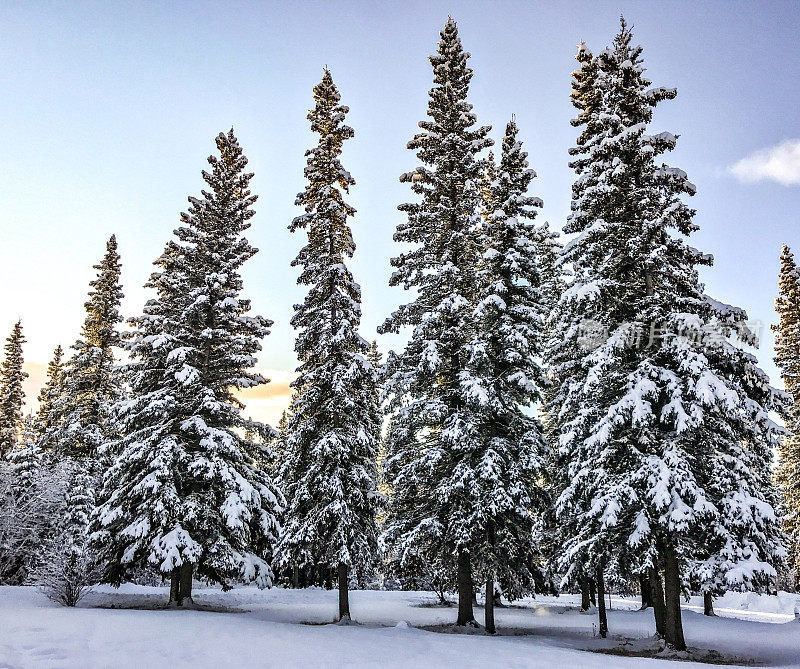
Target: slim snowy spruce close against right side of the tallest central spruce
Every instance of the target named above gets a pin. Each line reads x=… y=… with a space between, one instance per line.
x=506 y=375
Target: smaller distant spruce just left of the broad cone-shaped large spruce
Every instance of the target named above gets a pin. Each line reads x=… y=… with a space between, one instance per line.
x=79 y=417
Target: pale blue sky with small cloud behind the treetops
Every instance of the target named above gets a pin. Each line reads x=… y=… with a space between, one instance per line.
x=110 y=109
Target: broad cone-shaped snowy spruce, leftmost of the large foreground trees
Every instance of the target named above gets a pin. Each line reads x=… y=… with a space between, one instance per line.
x=184 y=496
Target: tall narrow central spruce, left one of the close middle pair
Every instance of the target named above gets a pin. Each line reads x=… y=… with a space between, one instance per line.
x=433 y=462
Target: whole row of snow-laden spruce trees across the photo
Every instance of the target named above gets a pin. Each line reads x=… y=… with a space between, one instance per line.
x=575 y=414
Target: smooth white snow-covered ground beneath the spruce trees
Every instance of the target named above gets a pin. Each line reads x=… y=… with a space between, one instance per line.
x=283 y=628
